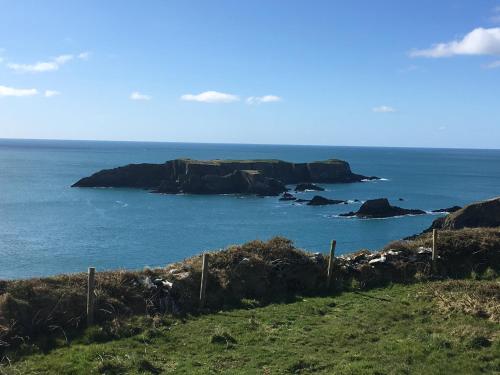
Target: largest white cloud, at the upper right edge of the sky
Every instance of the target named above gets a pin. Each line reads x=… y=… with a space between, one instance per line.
x=479 y=41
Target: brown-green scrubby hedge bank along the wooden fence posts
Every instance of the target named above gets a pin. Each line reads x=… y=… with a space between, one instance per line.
x=267 y=272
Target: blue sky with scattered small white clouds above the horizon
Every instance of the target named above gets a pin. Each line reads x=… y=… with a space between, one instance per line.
x=367 y=73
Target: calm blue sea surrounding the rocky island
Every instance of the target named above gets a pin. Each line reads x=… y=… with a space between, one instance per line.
x=47 y=227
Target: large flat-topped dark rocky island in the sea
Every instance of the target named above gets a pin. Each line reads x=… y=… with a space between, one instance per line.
x=260 y=177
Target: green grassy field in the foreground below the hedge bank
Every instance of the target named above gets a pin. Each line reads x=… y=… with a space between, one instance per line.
x=449 y=327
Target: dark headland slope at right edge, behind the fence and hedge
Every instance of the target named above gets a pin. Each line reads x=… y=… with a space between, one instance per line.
x=484 y=214
